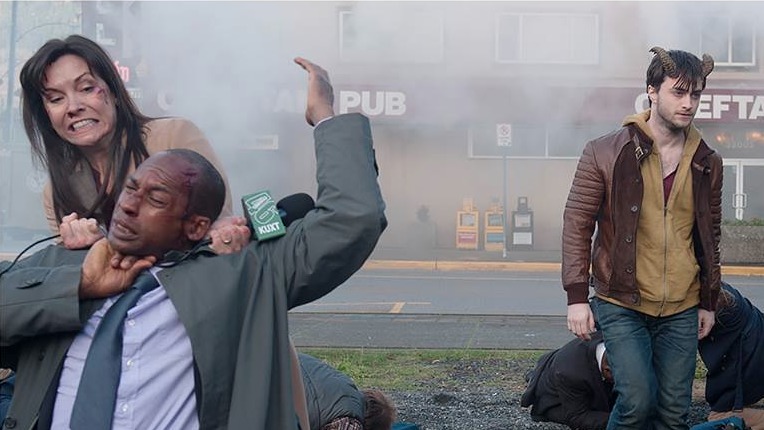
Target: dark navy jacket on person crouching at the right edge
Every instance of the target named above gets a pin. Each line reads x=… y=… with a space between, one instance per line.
x=734 y=355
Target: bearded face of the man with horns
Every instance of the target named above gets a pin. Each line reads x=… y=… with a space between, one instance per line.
x=675 y=107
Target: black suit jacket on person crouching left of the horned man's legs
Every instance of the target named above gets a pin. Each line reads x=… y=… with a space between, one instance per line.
x=567 y=387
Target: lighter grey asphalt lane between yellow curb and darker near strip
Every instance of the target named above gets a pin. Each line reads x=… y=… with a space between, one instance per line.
x=467 y=292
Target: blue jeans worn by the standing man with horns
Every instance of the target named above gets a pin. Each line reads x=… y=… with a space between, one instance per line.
x=653 y=365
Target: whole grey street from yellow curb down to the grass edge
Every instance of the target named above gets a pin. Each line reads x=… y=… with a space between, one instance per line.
x=462 y=309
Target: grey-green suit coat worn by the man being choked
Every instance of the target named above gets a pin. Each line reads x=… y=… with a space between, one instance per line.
x=233 y=307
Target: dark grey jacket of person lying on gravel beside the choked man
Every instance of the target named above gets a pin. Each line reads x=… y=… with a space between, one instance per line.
x=330 y=394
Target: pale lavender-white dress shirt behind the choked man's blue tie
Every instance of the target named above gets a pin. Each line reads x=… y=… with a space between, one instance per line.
x=156 y=387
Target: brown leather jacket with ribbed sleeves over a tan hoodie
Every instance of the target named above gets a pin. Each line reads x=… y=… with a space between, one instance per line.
x=606 y=194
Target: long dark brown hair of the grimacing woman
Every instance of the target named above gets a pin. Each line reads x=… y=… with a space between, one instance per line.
x=59 y=156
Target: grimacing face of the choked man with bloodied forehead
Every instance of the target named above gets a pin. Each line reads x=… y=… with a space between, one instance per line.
x=150 y=214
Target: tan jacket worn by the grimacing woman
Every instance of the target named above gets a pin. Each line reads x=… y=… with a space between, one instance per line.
x=161 y=134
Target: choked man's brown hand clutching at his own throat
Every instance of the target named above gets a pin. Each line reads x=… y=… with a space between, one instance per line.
x=102 y=278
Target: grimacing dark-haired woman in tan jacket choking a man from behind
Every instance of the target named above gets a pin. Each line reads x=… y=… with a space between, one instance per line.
x=88 y=133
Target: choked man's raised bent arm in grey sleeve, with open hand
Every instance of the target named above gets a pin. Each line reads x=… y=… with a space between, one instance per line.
x=333 y=241
